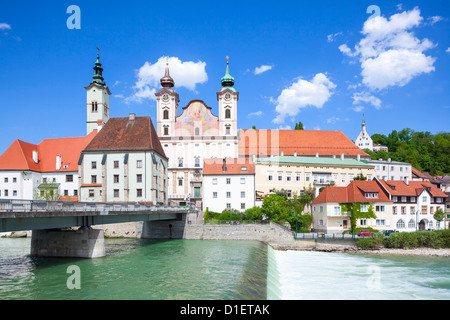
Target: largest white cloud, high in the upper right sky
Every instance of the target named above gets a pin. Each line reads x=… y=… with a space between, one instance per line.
x=391 y=55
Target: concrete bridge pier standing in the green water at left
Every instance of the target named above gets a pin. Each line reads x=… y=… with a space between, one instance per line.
x=82 y=243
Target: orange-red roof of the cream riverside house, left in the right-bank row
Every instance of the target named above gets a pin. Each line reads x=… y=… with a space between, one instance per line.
x=354 y=192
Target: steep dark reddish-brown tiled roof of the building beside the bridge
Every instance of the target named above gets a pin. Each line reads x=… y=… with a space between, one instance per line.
x=125 y=134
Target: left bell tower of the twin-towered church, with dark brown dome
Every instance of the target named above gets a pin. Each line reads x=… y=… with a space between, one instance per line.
x=166 y=105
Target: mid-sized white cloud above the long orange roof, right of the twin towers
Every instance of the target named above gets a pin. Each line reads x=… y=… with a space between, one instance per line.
x=302 y=94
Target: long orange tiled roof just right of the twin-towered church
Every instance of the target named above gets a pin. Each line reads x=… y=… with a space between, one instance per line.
x=303 y=142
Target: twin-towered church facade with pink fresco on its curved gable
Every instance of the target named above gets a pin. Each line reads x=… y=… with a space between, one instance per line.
x=194 y=135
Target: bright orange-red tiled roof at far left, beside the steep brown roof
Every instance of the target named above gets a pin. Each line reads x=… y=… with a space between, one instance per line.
x=19 y=155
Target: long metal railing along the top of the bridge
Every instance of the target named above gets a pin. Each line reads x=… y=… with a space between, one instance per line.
x=44 y=206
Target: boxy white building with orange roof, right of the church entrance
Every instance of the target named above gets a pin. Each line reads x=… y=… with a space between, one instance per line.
x=228 y=183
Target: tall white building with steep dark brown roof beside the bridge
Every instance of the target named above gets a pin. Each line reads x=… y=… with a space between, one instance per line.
x=124 y=163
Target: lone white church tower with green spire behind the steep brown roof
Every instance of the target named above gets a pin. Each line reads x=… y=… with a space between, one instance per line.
x=97 y=101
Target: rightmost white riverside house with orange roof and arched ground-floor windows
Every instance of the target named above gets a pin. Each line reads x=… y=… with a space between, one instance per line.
x=414 y=204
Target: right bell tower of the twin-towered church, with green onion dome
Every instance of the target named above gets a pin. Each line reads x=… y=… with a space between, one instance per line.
x=227 y=98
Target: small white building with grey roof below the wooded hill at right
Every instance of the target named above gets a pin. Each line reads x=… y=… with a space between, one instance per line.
x=392 y=170
